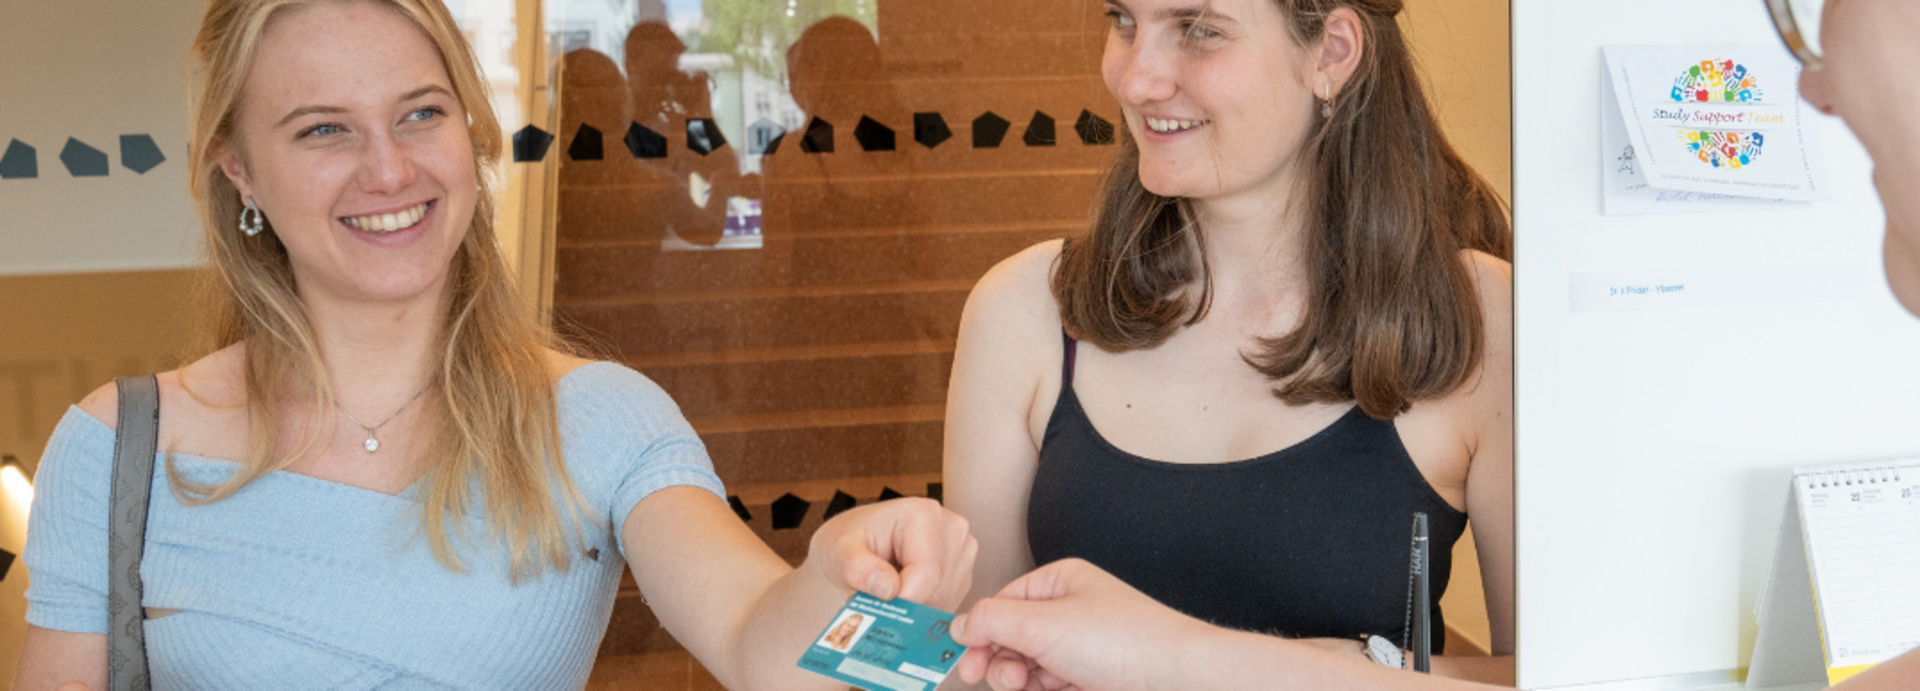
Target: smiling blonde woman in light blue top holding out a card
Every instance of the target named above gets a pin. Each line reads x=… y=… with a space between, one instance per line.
x=387 y=475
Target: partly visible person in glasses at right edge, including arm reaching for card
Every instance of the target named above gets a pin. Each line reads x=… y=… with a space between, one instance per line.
x=1070 y=625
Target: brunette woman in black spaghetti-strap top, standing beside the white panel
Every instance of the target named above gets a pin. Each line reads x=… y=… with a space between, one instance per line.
x=1285 y=333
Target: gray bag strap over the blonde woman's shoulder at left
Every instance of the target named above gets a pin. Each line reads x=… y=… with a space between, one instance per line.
x=135 y=446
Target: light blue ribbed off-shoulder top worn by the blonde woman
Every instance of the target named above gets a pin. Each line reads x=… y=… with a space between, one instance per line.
x=308 y=584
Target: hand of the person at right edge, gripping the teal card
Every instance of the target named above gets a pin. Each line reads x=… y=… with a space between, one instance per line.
x=1074 y=627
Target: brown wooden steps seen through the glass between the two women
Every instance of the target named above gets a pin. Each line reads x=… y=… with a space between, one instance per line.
x=819 y=362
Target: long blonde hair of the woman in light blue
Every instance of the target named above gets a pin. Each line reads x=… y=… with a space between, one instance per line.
x=492 y=427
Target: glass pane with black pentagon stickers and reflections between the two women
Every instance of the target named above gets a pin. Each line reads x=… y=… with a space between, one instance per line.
x=777 y=208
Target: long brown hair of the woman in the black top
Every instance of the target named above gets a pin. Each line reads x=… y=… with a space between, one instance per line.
x=1391 y=314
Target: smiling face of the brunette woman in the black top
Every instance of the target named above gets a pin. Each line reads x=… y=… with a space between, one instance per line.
x=1216 y=93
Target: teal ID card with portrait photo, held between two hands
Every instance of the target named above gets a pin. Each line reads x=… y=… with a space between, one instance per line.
x=892 y=646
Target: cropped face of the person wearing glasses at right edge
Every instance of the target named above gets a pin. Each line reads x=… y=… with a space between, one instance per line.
x=1867 y=45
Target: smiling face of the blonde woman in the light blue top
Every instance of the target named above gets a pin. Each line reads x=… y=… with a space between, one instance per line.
x=350 y=139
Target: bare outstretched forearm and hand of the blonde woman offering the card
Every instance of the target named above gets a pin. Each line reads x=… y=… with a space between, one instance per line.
x=748 y=617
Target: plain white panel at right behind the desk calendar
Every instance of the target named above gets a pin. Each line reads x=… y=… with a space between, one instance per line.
x=1654 y=446
